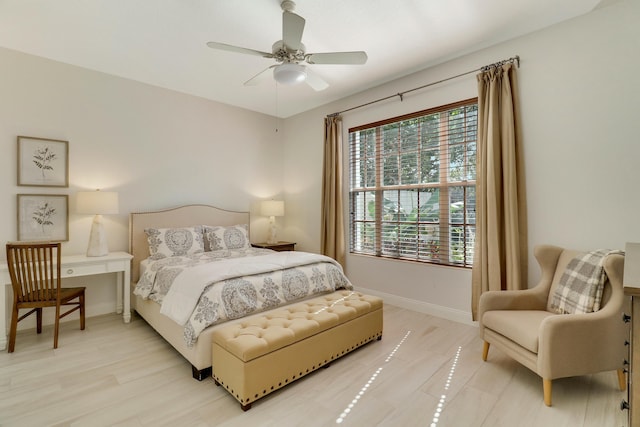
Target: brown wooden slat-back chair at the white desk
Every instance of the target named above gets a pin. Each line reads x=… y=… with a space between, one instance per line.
x=34 y=268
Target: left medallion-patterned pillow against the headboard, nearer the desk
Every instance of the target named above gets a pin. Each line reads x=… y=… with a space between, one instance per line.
x=167 y=242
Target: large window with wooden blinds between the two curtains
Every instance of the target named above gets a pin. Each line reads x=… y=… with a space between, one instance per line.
x=412 y=186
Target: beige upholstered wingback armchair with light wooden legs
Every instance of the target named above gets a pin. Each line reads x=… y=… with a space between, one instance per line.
x=552 y=345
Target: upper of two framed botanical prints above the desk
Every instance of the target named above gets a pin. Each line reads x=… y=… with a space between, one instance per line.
x=43 y=162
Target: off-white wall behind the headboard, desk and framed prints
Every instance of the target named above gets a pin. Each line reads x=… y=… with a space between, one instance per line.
x=155 y=147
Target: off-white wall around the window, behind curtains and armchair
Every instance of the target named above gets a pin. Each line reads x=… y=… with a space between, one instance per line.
x=578 y=91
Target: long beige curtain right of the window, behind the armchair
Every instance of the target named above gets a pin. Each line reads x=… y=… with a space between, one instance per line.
x=500 y=251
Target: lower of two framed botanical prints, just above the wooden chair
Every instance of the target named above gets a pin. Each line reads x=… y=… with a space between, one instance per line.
x=43 y=217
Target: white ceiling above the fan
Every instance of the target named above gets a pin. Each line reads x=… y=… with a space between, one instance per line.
x=163 y=42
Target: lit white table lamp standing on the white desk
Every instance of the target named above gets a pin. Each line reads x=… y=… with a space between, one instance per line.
x=97 y=203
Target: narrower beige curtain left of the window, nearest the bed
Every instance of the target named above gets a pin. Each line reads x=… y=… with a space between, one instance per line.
x=332 y=231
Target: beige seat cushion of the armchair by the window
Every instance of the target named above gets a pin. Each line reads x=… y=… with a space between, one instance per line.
x=520 y=326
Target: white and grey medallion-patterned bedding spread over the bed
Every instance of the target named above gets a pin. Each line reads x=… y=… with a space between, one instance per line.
x=200 y=290
